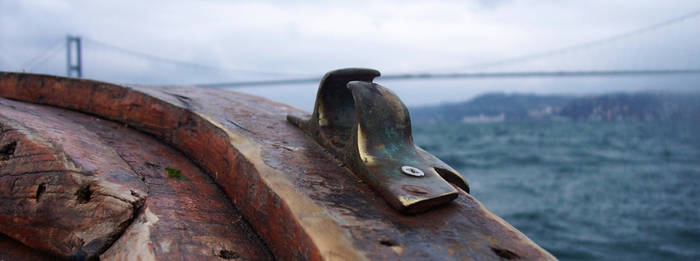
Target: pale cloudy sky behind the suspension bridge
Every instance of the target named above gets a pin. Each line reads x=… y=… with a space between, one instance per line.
x=220 y=41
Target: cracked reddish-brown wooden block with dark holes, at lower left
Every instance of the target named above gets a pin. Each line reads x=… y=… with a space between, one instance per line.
x=61 y=189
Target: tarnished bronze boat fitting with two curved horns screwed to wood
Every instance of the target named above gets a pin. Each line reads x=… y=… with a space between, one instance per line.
x=366 y=126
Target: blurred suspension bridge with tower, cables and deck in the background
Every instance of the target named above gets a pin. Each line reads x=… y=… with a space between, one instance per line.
x=473 y=71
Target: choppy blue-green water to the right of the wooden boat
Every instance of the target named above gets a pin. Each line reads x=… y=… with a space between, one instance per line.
x=584 y=191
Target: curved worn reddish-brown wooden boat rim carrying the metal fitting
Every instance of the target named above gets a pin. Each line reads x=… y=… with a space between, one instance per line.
x=296 y=197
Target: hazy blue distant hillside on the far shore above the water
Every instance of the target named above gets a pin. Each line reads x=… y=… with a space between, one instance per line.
x=518 y=107
